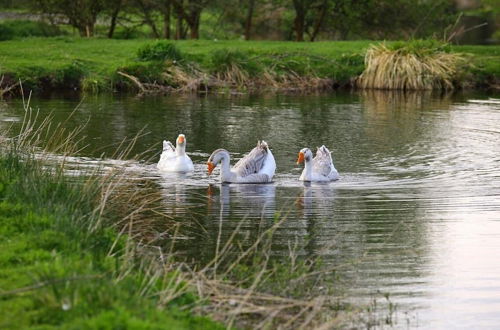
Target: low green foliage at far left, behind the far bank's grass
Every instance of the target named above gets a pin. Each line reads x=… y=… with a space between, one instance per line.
x=22 y=29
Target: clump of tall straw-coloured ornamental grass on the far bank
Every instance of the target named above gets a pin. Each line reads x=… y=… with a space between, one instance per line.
x=415 y=65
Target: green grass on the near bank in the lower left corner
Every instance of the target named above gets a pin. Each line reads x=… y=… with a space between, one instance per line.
x=57 y=273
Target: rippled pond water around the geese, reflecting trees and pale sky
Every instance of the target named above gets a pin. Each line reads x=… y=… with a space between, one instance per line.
x=416 y=212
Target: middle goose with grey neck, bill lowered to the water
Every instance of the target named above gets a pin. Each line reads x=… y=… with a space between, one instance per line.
x=256 y=167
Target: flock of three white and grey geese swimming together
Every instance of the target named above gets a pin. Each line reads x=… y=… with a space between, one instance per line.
x=256 y=167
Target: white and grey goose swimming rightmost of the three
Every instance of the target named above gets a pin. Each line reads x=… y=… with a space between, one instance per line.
x=319 y=168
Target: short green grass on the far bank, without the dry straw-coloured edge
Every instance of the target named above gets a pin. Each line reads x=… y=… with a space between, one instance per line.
x=68 y=63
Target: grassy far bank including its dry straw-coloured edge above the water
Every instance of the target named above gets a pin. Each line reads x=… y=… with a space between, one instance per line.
x=93 y=64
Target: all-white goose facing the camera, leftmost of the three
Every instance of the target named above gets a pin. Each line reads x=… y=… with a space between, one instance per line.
x=175 y=159
